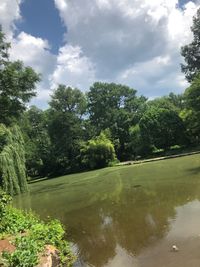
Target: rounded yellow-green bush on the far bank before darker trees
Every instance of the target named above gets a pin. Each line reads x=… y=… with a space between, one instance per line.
x=98 y=152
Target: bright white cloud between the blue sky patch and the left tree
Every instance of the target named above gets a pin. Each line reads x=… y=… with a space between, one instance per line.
x=35 y=52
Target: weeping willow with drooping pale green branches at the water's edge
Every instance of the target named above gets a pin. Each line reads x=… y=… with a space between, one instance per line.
x=12 y=160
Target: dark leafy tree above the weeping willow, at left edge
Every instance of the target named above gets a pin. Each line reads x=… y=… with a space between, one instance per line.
x=17 y=85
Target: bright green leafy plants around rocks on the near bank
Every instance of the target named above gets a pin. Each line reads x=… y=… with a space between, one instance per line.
x=31 y=235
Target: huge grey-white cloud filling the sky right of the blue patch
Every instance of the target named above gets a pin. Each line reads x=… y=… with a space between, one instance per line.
x=136 y=42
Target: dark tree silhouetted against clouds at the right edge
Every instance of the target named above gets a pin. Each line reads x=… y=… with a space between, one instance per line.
x=191 y=52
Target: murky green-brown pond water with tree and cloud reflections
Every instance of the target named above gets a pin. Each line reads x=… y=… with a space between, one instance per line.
x=127 y=216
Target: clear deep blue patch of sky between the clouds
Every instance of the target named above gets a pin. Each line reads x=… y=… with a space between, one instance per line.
x=41 y=19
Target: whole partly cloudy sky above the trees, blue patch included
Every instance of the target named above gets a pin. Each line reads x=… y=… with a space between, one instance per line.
x=78 y=42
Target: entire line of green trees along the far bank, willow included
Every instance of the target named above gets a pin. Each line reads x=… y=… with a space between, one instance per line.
x=82 y=131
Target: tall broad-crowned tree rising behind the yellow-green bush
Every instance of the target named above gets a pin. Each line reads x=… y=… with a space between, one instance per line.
x=115 y=107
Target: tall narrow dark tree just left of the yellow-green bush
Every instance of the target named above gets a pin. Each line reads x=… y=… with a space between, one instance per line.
x=65 y=126
